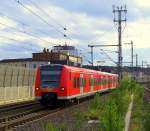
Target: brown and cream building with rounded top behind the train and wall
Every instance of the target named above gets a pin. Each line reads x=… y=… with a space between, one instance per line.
x=58 y=55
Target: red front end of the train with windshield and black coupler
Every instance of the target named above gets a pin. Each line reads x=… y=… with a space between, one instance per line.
x=48 y=84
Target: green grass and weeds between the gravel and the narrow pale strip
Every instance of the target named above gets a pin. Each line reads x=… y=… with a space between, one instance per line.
x=111 y=111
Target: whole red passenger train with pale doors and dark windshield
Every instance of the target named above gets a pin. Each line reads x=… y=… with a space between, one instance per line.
x=61 y=82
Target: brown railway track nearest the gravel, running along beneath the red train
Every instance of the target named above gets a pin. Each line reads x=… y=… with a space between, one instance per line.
x=9 y=122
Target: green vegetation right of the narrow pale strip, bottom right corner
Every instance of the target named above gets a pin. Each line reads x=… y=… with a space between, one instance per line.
x=140 y=117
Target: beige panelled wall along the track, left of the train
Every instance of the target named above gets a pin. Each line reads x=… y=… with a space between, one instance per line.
x=16 y=84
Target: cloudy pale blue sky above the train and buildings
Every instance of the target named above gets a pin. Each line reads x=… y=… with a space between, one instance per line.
x=87 y=21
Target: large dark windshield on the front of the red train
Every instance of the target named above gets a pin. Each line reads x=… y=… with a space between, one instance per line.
x=50 y=75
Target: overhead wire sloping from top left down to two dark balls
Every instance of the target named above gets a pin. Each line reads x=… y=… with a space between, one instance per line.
x=43 y=20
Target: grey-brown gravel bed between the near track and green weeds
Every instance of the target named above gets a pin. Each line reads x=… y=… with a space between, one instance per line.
x=64 y=117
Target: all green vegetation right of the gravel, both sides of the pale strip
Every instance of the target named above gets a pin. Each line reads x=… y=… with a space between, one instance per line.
x=109 y=113
